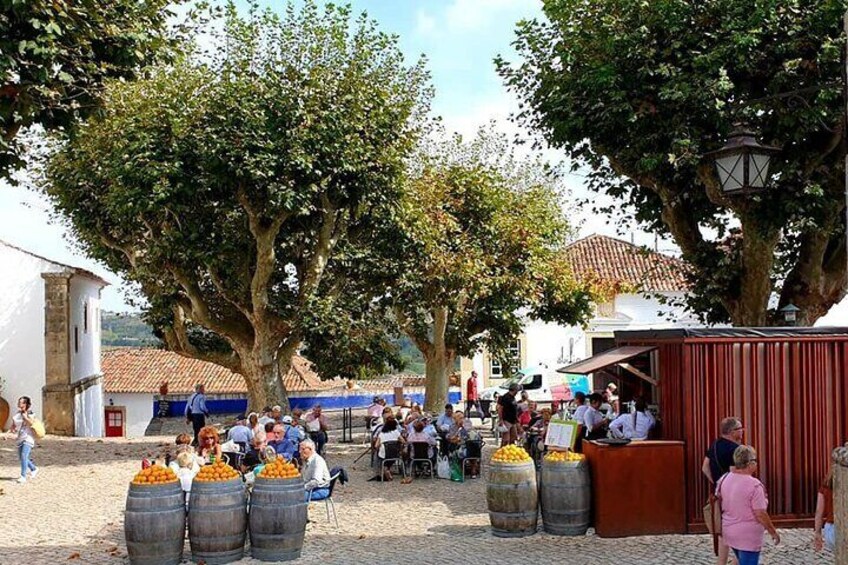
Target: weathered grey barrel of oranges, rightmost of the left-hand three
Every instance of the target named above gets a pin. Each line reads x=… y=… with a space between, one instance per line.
x=278 y=512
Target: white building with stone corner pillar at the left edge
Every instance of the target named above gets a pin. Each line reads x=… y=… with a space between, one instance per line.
x=50 y=341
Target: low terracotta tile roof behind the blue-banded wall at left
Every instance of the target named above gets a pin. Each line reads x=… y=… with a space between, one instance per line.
x=131 y=369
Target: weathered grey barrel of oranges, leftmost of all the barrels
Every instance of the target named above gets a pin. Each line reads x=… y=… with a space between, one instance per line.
x=154 y=524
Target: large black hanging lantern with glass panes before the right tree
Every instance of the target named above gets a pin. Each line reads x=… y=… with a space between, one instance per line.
x=743 y=163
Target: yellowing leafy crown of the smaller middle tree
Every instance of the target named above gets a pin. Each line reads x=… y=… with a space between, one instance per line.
x=485 y=233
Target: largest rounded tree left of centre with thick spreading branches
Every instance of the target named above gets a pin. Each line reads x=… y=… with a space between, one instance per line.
x=237 y=188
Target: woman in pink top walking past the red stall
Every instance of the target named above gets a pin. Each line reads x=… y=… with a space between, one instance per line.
x=743 y=508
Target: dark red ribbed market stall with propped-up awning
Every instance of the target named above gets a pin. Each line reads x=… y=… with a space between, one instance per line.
x=788 y=385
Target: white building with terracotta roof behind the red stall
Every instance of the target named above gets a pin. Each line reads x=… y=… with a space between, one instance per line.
x=646 y=287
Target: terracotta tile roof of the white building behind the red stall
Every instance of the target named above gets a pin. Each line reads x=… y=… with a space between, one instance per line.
x=616 y=261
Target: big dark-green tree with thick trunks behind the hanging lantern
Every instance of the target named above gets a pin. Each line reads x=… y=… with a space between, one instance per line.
x=640 y=91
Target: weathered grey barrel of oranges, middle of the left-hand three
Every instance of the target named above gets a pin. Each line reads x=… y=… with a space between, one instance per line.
x=217 y=521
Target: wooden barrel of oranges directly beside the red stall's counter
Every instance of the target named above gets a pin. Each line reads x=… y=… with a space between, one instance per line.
x=566 y=497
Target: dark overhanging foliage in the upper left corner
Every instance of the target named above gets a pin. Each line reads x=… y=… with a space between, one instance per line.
x=56 y=54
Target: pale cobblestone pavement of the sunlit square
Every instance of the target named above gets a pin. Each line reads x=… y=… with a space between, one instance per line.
x=73 y=513
